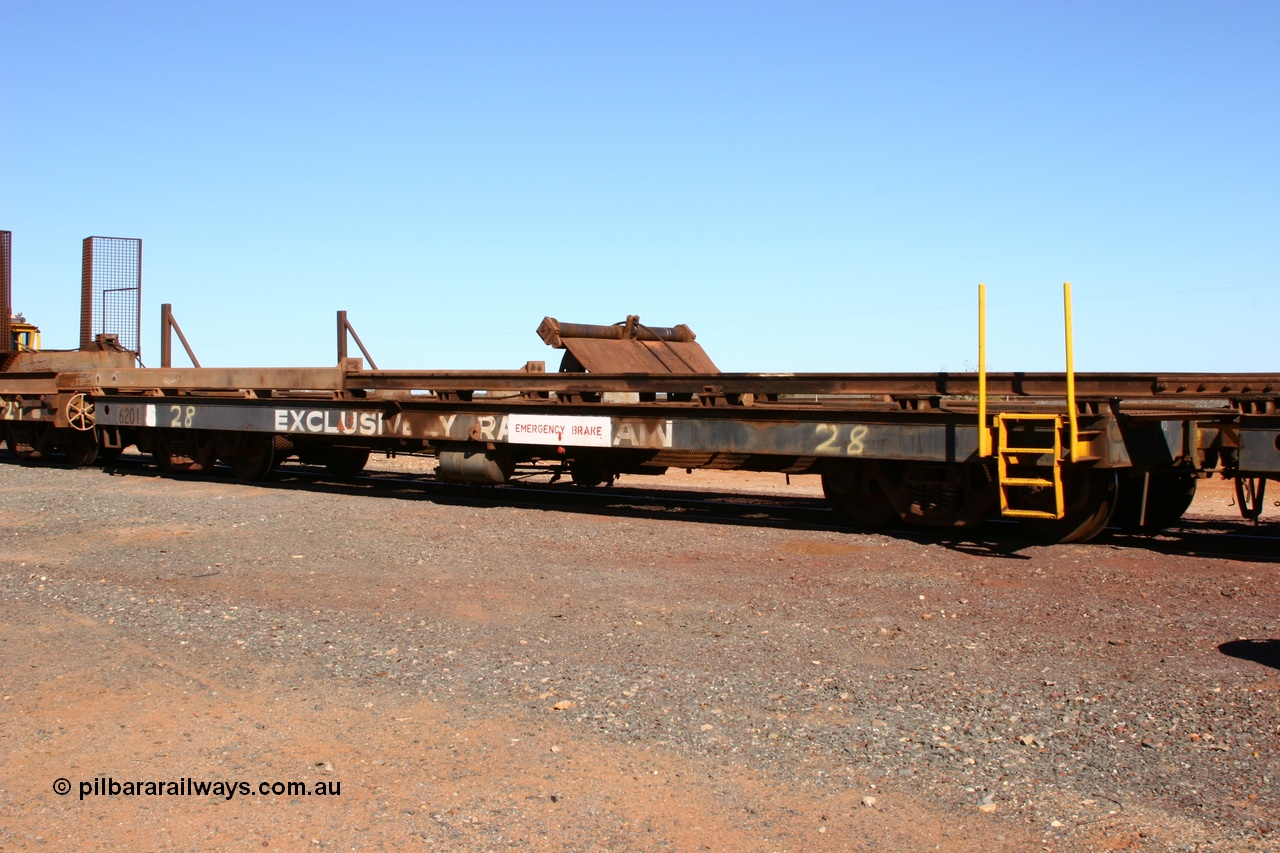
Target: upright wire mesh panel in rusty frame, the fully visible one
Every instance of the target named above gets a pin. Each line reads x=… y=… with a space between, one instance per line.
x=112 y=290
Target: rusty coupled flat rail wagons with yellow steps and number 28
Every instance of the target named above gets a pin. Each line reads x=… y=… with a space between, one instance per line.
x=1067 y=454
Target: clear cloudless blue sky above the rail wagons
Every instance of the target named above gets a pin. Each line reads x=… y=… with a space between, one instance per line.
x=811 y=186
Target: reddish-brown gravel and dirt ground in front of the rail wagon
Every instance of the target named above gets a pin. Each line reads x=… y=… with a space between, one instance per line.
x=479 y=677
